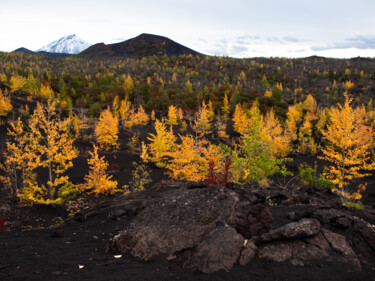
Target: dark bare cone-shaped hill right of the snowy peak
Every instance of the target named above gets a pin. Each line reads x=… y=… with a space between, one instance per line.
x=143 y=45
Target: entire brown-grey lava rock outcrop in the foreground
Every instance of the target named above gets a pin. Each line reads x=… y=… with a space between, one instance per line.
x=210 y=229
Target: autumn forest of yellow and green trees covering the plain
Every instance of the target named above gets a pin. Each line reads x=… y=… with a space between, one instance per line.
x=207 y=119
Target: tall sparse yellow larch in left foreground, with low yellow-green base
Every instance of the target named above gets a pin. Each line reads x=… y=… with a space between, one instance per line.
x=56 y=152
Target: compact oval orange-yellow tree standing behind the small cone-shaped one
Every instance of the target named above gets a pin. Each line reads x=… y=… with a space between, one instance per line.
x=106 y=130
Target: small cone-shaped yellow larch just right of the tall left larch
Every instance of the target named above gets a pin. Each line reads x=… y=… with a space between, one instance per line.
x=97 y=180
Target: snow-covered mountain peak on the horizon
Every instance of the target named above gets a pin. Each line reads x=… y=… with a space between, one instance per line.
x=69 y=44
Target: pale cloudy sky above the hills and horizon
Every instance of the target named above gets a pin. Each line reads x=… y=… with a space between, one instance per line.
x=235 y=28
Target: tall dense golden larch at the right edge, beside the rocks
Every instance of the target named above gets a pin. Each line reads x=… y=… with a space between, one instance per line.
x=348 y=141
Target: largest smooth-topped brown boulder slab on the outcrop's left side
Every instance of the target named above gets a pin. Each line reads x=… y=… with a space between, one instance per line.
x=179 y=220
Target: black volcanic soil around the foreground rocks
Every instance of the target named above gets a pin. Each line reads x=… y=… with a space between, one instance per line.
x=35 y=247
